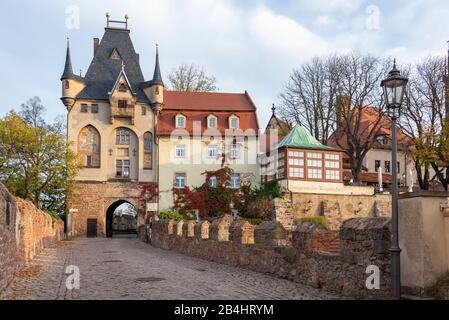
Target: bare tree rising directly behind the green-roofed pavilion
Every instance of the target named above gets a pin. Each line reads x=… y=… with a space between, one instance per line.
x=309 y=97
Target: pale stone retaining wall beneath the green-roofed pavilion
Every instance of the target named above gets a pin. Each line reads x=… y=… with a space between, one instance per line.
x=337 y=208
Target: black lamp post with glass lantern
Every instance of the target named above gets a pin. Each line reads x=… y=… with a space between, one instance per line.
x=394 y=89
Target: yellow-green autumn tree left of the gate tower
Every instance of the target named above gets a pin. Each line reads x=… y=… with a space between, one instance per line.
x=35 y=161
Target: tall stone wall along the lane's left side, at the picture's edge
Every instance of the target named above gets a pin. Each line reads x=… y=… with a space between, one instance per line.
x=23 y=234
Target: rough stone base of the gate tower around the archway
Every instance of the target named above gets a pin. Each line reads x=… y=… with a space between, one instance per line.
x=91 y=200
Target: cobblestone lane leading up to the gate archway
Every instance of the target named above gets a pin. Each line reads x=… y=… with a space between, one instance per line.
x=125 y=268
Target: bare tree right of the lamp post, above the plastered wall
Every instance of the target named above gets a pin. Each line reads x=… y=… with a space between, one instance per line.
x=424 y=113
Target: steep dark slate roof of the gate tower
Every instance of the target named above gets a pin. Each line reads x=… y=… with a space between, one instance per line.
x=103 y=71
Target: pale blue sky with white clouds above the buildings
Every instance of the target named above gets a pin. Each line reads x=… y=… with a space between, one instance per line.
x=248 y=45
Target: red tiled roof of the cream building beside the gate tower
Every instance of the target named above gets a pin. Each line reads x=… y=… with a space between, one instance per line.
x=197 y=106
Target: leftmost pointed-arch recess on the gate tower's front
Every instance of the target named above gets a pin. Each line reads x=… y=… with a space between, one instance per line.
x=89 y=146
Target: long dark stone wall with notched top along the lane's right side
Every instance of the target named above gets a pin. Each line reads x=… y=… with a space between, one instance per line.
x=297 y=256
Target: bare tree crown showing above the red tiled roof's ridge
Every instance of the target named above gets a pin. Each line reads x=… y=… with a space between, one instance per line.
x=192 y=78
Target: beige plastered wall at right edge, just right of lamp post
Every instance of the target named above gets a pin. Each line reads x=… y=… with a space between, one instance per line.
x=424 y=239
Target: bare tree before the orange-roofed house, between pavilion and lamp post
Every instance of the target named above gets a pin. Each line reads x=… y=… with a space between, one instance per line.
x=361 y=117
